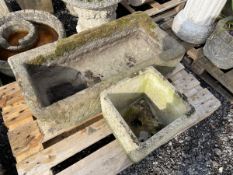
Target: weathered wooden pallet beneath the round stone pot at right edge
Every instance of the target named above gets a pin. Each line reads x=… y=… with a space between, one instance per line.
x=220 y=80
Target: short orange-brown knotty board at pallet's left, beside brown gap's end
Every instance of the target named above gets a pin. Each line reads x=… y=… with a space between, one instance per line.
x=25 y=140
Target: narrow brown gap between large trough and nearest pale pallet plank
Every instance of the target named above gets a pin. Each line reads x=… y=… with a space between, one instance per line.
x=72 y=131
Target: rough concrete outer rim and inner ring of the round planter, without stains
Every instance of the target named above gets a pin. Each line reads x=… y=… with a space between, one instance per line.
x=23 y=18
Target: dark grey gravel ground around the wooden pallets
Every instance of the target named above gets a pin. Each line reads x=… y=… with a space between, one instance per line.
x=206 y=148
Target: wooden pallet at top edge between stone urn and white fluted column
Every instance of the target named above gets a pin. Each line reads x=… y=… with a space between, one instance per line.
x=155 y=8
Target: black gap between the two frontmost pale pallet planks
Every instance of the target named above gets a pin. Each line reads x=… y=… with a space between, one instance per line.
x=84 y=153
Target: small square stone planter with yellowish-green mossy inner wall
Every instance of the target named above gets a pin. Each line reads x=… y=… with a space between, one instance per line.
x=144 y=112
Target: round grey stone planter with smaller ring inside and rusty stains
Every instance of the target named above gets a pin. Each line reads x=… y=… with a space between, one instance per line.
x=26 y=21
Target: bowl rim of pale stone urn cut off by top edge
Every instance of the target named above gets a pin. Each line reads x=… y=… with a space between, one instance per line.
x=92 y=4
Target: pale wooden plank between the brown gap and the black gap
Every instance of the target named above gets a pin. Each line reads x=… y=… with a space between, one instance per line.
x=64 y=149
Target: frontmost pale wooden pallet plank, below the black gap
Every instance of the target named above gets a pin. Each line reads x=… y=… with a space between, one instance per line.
x=109 y=160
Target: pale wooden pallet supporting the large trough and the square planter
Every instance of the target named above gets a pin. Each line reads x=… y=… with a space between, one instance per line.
x=35 y=157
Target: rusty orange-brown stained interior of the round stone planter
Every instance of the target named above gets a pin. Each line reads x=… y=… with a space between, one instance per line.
x=45 y=35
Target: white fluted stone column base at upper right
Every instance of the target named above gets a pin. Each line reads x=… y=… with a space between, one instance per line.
x=195 y=22
